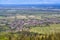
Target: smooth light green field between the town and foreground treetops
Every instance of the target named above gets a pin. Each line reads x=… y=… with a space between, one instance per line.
x=46 y=30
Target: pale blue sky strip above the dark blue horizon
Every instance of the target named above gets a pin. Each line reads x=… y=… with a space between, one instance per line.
x=29 y=1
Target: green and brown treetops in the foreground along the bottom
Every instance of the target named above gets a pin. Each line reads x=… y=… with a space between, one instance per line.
x=29 y=36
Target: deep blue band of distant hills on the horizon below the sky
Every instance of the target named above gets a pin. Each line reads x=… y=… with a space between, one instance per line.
x=51 y=6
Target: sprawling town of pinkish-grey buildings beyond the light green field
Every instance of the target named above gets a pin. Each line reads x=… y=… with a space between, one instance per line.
x=20 y=24
